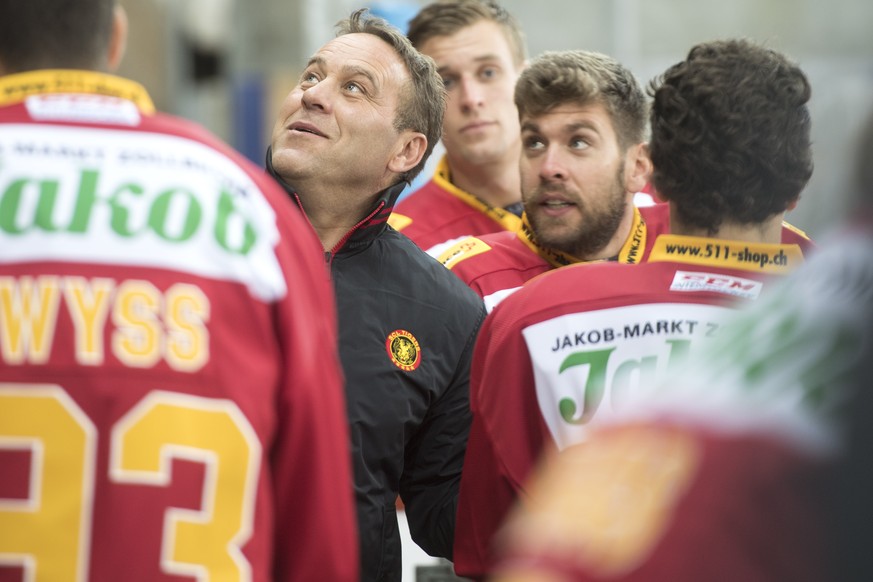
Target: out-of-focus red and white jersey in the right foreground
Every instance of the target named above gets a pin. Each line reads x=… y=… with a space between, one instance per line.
x=719 y=472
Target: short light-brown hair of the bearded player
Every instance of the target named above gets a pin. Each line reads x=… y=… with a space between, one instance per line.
x=584 y=77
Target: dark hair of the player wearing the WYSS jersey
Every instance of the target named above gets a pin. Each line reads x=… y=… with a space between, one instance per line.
x=54 y=34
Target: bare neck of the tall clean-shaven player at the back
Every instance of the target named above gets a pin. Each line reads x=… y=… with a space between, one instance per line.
x=497 y=183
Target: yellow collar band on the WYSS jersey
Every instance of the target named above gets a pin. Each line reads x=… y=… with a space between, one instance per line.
x=17 y=87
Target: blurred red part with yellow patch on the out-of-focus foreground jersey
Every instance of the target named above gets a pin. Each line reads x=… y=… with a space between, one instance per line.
x=657 y=502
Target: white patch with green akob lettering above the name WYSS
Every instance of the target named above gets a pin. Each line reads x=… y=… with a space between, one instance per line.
x=116 y=196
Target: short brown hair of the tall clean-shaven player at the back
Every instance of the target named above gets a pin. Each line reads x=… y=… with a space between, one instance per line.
x=447 y=17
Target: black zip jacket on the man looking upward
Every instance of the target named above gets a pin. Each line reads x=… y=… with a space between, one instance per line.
x=408 y=428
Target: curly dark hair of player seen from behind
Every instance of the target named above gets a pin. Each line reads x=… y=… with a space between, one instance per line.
x=730 y=134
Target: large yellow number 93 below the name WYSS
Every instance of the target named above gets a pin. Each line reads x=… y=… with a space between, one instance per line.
x=48 y=531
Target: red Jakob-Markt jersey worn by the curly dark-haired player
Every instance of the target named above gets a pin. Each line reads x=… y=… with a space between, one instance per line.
x=579 y=342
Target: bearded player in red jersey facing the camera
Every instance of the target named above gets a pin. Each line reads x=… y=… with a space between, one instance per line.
x=583 y=121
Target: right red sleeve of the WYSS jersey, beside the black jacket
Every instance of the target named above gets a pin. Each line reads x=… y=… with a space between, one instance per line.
x=315 y=520
